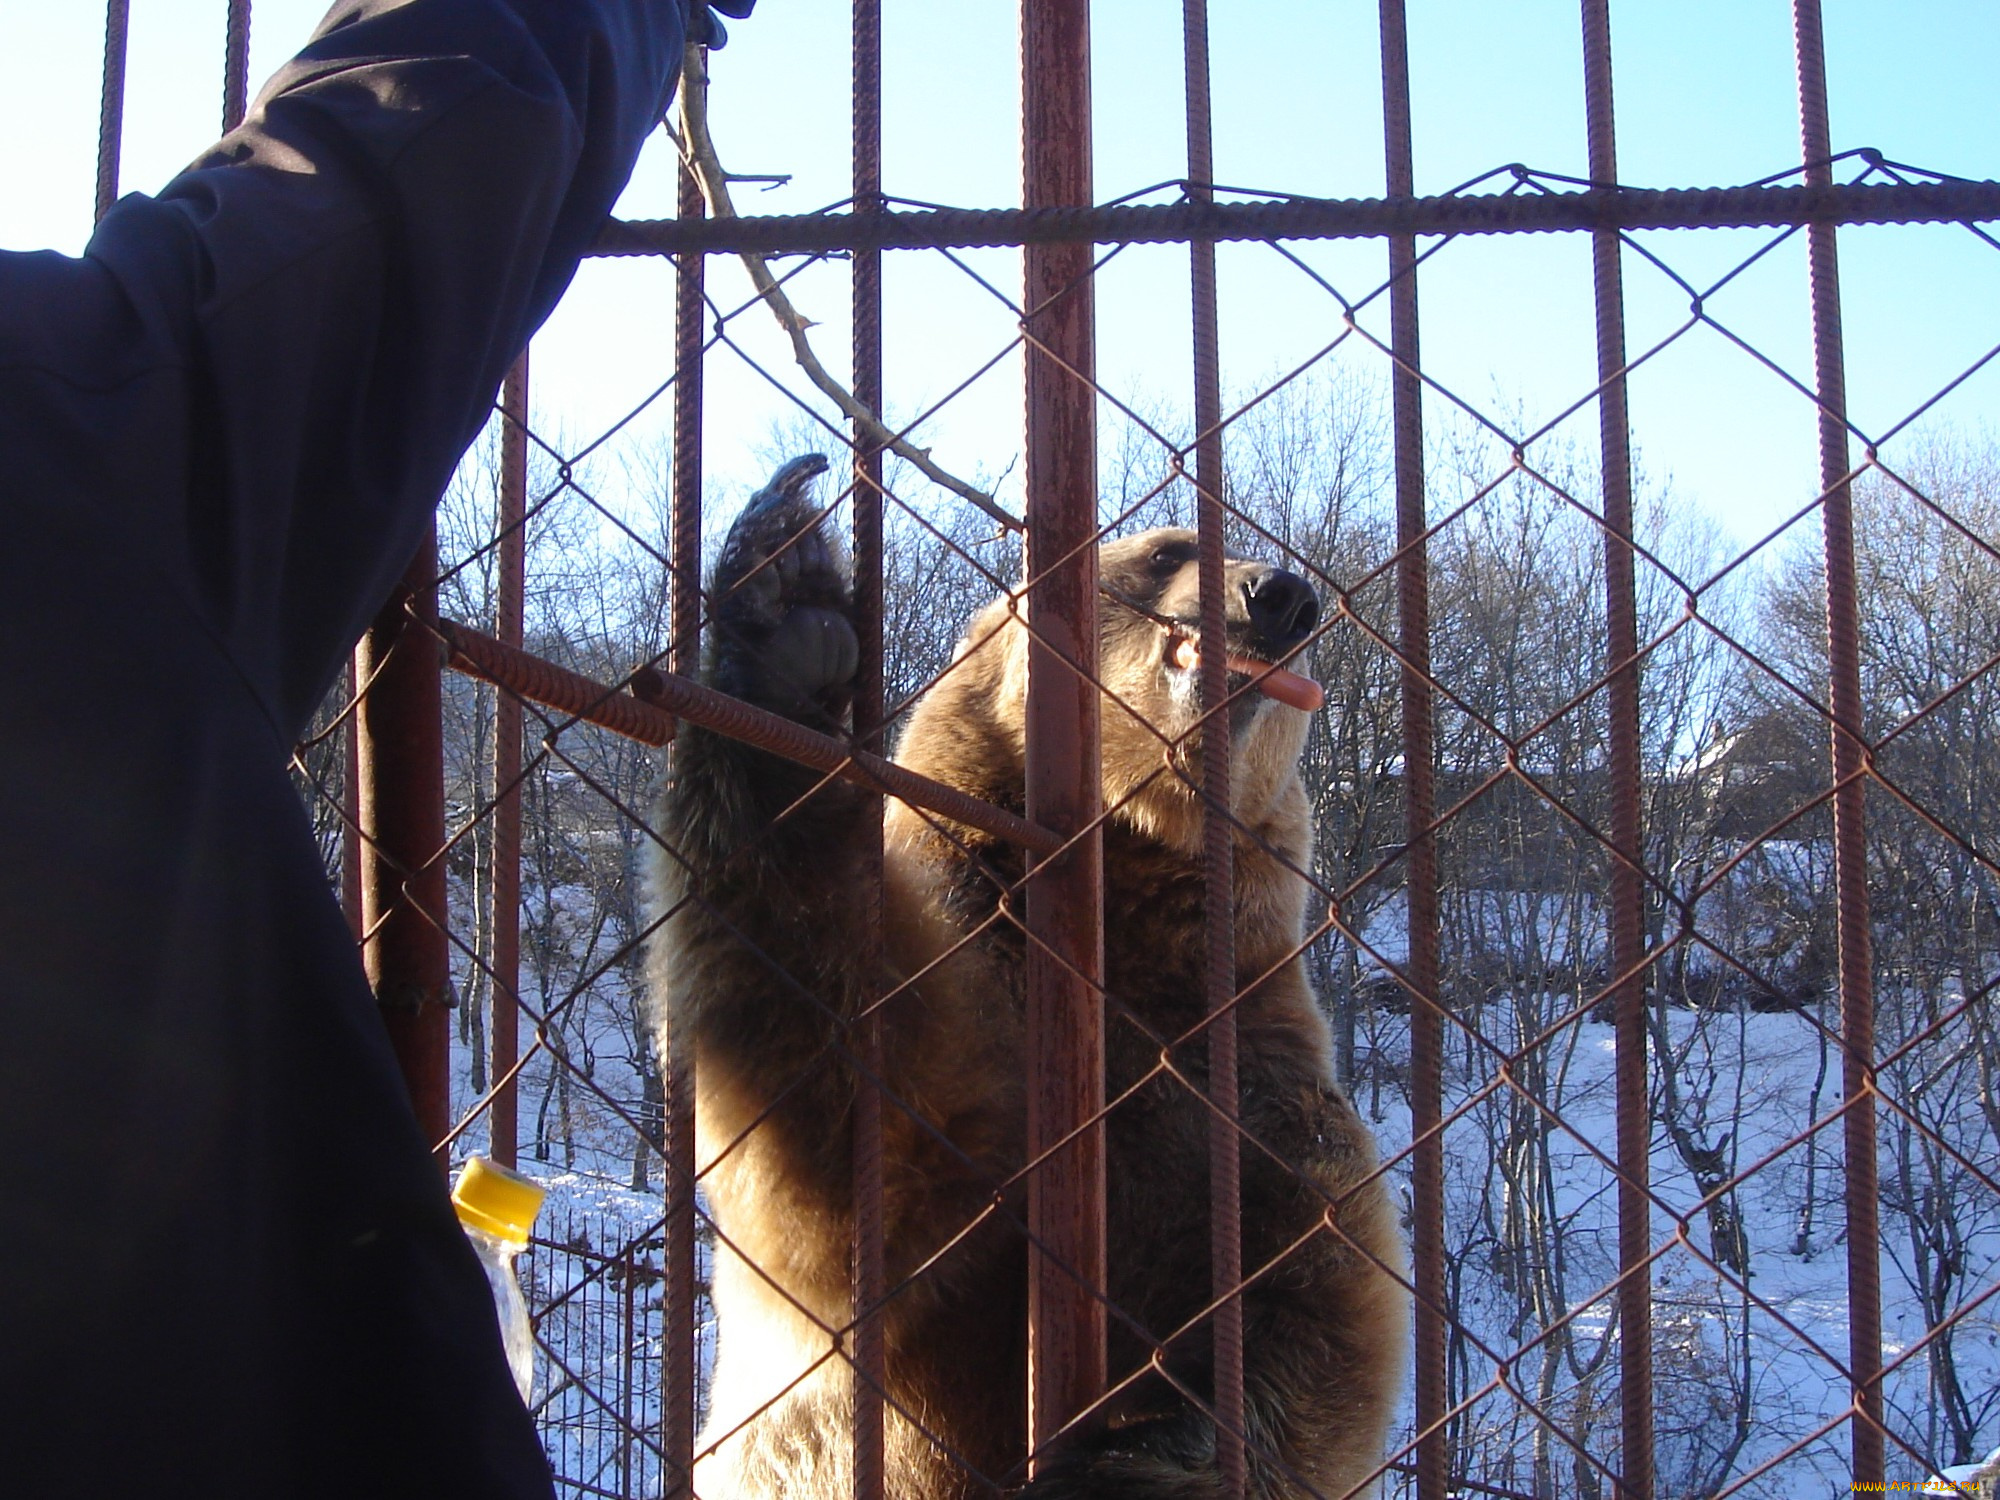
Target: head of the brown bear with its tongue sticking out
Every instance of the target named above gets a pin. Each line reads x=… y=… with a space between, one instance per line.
x=973 y=725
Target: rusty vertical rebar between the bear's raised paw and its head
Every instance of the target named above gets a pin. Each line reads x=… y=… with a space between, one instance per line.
x=869 y=1277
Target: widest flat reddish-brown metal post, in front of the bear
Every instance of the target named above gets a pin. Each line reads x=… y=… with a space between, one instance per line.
x=1065 y=909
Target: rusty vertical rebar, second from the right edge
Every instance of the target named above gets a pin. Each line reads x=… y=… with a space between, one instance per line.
x=1627 y=833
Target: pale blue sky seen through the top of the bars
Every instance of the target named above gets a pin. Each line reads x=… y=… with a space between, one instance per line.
x=1705 y=91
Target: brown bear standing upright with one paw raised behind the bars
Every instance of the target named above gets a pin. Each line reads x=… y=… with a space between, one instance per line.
x=759 y=973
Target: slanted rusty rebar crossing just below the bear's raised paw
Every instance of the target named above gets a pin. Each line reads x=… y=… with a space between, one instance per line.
x=651 y=703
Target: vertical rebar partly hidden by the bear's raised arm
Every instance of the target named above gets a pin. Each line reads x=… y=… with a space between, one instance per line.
x=679 y=1333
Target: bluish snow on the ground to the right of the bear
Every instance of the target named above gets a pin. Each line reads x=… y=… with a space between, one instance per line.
x=1767 y=1345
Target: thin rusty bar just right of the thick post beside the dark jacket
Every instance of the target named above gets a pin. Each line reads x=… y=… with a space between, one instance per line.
x=511 y=565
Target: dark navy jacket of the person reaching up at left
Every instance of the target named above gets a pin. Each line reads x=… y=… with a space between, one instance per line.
x=227 y=1259
